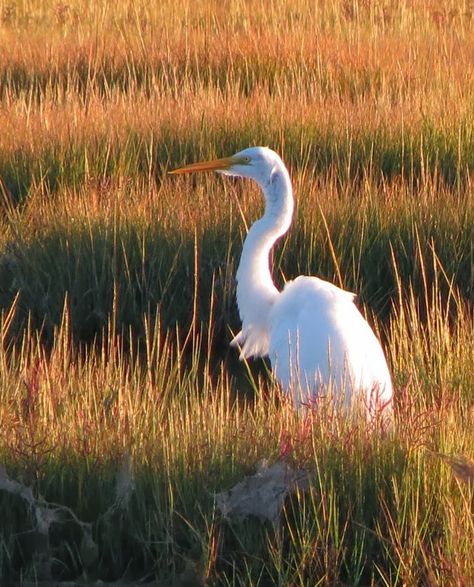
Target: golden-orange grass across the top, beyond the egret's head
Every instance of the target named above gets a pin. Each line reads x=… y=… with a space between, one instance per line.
x=111 y=70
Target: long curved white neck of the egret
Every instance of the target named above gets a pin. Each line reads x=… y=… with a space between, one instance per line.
x=255 y=288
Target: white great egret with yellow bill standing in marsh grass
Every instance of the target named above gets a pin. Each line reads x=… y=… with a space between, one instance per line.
x=315 y=336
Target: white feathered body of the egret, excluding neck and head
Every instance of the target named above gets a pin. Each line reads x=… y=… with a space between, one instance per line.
x=320 y=341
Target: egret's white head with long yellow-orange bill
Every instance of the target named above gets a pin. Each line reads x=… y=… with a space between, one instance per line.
x=257 y=163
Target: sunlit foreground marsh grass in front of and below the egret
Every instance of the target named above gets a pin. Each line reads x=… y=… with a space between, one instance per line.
x=374 y=501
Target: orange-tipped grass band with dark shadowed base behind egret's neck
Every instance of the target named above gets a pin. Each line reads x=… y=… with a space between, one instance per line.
x=116 y=250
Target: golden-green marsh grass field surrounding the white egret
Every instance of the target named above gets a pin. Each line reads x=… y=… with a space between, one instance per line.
x=122 y=410
